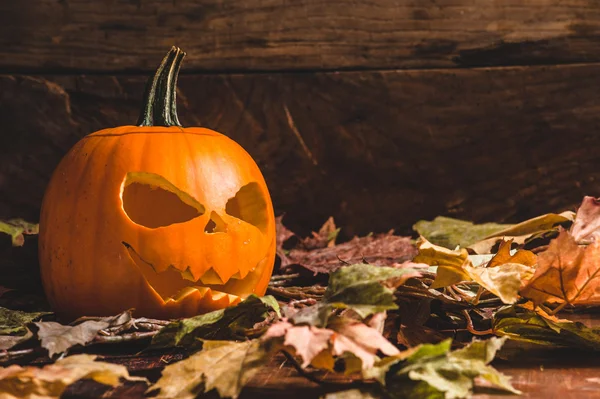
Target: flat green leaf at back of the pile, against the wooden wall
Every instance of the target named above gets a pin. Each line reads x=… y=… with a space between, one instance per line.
x=448 y=232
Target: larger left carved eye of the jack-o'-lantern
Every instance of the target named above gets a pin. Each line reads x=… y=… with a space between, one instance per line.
x=152 y=201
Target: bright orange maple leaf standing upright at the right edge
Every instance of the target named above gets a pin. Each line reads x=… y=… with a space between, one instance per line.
x=566 y=273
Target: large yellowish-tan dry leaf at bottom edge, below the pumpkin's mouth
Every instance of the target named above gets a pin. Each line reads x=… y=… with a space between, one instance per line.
x=221 y=365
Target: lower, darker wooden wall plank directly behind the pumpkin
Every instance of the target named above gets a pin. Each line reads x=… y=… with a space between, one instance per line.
x=377 y=150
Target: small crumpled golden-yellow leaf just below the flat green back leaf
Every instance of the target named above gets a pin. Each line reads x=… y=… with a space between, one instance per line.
x=451 y=263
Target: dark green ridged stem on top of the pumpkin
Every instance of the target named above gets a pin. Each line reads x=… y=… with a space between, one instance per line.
x=160 y=99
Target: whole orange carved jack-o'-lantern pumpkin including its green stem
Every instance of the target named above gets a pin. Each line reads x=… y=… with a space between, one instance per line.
x=168 y=220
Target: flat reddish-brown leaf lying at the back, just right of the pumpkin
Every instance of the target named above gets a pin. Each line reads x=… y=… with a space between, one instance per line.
x=383 y=250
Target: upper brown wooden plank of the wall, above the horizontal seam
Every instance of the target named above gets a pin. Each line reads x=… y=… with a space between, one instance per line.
x=114 y=35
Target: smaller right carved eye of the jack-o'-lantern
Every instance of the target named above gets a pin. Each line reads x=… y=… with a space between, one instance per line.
x=249 y=205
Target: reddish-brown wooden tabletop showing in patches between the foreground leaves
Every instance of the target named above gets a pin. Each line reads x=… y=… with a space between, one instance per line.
x=536 y=371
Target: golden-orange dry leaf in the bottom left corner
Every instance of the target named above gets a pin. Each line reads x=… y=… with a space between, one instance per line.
x=52 y=380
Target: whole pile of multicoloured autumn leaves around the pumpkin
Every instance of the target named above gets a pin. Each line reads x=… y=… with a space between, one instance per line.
x=397 y=317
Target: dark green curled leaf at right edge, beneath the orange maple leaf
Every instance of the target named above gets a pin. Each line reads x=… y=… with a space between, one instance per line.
x=525 y=325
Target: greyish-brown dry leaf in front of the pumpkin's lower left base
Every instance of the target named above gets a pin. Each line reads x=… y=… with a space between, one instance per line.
x=57 y=338
